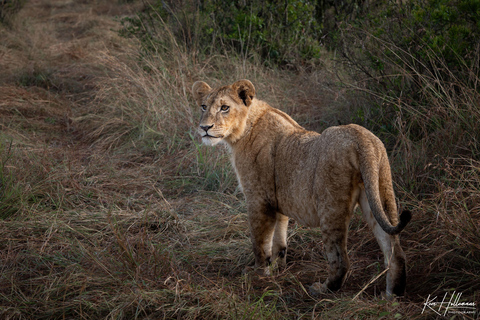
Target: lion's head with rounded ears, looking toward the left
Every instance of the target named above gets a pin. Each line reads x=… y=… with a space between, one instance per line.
x=224 y=110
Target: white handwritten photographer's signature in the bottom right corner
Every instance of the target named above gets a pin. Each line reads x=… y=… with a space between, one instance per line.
x=449 y=304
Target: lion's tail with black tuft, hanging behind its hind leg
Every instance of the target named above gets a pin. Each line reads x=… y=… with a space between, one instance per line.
x=378 y=179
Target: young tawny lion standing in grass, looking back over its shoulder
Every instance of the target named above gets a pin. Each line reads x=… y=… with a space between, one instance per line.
x=317 y=179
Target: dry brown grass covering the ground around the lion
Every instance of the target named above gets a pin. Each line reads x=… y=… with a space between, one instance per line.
x=111 y=208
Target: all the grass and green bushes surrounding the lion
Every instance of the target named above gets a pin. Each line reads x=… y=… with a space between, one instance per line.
x=111 y=208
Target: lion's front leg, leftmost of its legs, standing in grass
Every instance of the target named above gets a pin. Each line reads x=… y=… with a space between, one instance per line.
x=262 y=221
